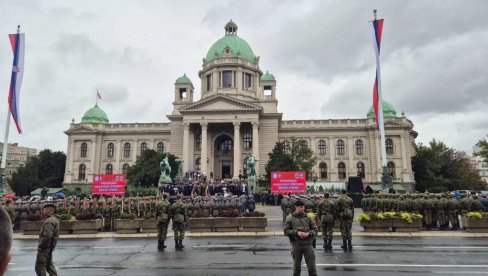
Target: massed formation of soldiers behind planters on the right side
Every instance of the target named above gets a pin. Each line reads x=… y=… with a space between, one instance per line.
x=438 y=210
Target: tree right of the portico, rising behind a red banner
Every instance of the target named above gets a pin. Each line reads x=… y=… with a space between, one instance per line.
x=299 y=158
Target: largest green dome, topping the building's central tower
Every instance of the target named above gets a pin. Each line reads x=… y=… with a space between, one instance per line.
x=237 y=45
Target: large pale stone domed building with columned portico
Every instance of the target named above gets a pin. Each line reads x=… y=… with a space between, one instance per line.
x=237 y=114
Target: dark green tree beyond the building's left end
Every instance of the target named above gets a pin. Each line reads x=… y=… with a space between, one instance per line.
x=44 y=170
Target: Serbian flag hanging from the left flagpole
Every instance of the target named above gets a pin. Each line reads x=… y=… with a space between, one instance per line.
x=18 y=46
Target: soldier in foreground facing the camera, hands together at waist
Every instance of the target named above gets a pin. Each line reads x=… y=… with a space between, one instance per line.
x=301 y=230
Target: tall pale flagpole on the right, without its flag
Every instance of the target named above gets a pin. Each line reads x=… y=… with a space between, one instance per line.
x=381 y=125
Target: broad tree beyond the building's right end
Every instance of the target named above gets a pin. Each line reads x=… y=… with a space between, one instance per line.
x=440 y=168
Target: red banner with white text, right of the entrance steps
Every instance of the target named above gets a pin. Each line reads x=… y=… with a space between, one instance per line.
x=288 y=182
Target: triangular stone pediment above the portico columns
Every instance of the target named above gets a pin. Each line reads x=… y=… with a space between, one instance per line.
x=220 y=103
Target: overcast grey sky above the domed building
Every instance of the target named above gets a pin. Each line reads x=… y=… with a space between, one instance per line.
x=434 y=58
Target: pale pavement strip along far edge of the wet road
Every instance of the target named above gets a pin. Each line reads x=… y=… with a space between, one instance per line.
x=275 y=228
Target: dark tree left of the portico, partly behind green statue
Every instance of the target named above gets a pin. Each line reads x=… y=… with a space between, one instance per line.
x=146 y=171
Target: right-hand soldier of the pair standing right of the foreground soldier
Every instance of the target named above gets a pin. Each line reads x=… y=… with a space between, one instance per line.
x=345 y=211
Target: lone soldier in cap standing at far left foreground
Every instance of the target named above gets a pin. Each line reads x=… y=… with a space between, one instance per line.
x=48 y=239
